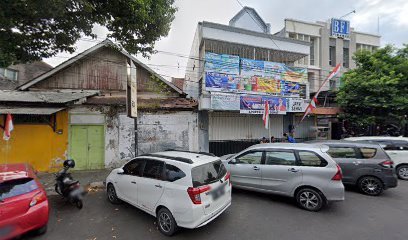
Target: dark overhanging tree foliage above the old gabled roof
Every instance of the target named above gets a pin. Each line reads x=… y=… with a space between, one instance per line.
x=36 y=29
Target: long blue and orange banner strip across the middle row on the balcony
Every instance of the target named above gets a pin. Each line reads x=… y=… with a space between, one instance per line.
x=261 y=85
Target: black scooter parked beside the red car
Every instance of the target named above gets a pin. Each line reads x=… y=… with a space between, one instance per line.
x=67 y=187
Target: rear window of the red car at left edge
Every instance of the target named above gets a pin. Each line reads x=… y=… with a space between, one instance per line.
x=17 y=187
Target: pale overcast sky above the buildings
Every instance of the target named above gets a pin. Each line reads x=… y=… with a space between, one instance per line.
x=393 y=15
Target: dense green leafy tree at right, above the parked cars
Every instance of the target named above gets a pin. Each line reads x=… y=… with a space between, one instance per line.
x=374 y=94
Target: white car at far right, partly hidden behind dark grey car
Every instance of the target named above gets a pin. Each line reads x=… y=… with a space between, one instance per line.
x=395 y=147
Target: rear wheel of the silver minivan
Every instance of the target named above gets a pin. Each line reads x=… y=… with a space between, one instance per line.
x=310 y=199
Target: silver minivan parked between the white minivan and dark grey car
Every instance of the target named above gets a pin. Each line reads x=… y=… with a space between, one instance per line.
x=302 y=171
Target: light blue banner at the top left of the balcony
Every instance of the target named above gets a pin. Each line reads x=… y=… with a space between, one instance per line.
x=221 y=63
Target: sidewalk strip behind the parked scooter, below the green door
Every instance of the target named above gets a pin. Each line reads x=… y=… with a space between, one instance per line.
x=89 y=179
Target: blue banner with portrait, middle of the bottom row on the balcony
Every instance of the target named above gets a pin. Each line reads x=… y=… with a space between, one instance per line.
x=256 y=104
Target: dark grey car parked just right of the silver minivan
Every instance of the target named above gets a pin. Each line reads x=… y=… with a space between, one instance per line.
x=365 y=165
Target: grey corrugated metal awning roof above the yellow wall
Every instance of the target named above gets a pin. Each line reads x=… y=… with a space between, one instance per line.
x=58 y=96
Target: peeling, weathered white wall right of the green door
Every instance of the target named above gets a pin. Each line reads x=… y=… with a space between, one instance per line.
x=157 y=131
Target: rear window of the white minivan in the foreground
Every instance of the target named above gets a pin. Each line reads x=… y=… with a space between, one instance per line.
x=208 y=173
